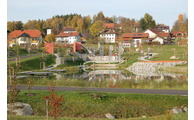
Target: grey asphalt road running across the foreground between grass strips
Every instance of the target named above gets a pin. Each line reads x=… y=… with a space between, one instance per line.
x=115 y=90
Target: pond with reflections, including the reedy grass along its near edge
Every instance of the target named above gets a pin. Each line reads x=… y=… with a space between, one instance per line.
x=111 y=79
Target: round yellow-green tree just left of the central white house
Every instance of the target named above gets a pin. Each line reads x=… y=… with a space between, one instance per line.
x=96 y=28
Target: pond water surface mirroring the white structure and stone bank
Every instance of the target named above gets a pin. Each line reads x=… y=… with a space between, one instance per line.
x=118 y=75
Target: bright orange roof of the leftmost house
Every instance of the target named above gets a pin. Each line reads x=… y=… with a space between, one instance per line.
x=18 y=33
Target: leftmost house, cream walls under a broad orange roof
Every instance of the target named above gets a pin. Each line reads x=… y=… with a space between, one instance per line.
x=23 y=37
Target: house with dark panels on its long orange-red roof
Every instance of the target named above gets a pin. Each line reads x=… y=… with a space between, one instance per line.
x=133 y=39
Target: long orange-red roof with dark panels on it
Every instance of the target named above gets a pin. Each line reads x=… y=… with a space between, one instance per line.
x=135 y=35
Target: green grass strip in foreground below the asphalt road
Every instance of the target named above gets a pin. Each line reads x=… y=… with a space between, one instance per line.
x=83 y=104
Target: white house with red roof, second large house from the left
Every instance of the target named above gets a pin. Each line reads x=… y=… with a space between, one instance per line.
x=68 y=35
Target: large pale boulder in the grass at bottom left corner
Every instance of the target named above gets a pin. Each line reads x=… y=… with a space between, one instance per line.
x=18 y=108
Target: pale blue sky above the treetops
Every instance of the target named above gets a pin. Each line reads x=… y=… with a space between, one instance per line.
x=162 y=11
